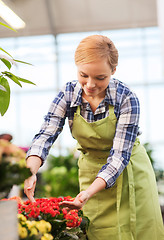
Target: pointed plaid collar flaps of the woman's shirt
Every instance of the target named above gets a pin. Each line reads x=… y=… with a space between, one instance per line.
x=110 y=96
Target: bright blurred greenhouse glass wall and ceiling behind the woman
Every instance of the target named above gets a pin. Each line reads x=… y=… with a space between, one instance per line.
x=48 y=32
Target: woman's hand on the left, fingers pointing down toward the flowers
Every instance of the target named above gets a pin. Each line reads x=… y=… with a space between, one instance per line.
x=29 y=187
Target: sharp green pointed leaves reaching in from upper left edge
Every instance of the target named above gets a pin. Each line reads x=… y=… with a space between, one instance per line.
x=6 y=75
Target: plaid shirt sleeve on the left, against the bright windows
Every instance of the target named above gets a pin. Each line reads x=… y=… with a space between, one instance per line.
x=50 y=129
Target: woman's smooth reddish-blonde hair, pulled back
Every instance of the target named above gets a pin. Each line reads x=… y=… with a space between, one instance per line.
x=96 y=47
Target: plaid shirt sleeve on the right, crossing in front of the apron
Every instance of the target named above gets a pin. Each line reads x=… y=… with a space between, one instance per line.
x=125 y=135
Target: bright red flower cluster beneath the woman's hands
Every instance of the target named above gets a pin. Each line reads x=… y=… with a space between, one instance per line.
x=49 y=209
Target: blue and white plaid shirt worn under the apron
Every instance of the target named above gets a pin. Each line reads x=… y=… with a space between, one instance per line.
x=126 y=109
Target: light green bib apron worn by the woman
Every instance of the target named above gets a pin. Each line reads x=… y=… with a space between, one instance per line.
x=130 y=209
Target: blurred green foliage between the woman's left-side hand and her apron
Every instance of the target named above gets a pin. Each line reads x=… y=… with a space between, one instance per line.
x=60 y=179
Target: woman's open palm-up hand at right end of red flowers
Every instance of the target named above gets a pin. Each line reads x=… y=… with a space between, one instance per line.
x=78 y=202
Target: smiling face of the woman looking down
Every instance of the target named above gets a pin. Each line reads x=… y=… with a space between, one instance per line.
x=94 y=78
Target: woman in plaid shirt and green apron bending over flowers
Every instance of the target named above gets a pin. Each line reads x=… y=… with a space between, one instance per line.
x=117 y=184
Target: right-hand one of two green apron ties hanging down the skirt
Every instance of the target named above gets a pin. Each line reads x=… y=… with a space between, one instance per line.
x=132 y=200
